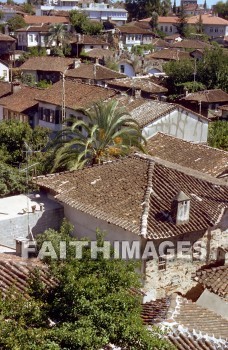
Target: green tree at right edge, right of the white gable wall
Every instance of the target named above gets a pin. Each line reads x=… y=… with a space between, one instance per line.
x=218 y=135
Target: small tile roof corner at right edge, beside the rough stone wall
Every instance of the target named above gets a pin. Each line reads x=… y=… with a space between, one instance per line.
x=215 y=279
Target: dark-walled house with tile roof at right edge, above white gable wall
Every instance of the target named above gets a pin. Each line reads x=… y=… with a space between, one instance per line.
x=205 y=101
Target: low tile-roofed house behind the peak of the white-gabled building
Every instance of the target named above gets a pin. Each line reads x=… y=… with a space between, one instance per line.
x=138 y=86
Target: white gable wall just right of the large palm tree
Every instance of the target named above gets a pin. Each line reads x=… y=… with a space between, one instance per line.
x=179 y=123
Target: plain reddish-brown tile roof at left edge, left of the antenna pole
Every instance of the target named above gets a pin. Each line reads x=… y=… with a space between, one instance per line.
x=21 y=100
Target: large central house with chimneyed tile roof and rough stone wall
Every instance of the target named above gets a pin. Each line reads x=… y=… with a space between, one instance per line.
x=145 y=199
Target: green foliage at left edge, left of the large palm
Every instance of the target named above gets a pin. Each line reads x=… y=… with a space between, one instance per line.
x=13 y=161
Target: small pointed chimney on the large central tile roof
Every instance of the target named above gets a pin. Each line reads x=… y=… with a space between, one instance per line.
x=180 y=208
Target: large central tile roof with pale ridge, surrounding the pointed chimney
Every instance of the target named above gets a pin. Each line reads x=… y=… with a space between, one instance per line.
x=138 y=188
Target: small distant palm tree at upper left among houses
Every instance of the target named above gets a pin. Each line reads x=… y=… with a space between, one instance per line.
x=58 y=34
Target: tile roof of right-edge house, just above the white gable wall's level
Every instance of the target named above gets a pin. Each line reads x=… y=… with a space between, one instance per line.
x=208 y=96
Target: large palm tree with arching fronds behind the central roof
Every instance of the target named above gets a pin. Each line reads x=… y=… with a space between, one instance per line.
x=109 y=133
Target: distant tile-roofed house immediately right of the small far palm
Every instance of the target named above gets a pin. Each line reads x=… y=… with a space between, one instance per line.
x=86 y=43
